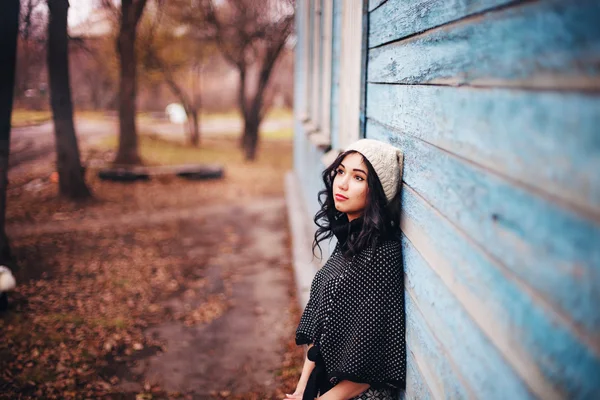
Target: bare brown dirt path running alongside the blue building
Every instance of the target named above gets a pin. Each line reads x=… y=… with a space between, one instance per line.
x=242 y=348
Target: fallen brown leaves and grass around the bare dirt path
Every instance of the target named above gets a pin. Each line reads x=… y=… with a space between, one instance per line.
x=87 y=293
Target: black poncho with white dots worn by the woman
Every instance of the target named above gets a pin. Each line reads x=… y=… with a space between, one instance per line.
x=355 y=316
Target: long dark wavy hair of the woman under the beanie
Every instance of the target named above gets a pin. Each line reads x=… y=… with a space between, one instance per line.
x=380 y=220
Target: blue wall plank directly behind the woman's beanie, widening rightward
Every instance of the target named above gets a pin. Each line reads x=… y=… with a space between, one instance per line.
x=551 y=250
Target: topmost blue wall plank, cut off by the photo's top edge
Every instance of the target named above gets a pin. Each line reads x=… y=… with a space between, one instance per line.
x=397 y=19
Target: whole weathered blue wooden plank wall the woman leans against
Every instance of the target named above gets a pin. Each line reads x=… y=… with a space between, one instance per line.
x=496 y=105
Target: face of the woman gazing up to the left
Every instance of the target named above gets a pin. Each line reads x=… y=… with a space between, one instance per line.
x=350 y=186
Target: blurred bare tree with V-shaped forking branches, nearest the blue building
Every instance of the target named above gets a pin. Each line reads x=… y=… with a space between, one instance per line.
x=250 y=34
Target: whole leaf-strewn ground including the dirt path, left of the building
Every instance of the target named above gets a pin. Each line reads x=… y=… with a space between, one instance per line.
x=96 y=277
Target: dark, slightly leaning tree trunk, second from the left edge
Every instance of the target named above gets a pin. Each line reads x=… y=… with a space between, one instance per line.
x=70 y=173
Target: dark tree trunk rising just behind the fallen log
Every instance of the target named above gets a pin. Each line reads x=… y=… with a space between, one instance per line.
x=128 y=140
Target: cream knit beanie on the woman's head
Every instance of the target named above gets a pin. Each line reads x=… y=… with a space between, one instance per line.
x=386 y=160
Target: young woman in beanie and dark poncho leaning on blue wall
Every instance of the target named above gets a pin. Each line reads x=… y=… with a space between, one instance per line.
x=353 y=323
